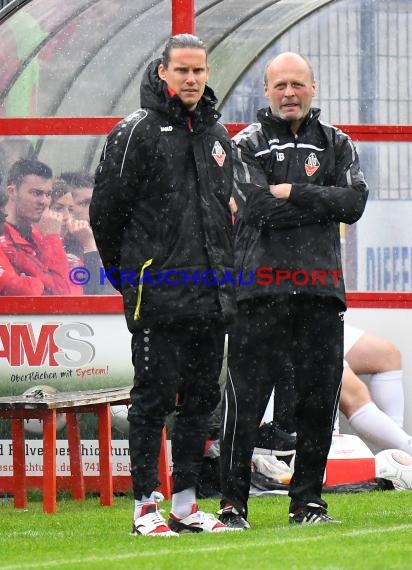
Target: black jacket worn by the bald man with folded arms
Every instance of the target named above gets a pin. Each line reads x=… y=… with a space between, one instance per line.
x=296 y=241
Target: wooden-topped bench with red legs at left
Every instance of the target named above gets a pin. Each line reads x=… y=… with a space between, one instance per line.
x=46 y=407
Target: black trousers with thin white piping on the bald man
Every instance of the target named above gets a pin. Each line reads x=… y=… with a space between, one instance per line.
x=267 y=337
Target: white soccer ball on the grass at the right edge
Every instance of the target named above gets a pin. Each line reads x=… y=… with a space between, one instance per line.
x=396 y=466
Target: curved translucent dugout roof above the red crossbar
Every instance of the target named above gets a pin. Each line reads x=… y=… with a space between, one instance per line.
x=86 y=57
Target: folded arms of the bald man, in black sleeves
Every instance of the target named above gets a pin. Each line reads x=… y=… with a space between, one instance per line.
x=277 y=206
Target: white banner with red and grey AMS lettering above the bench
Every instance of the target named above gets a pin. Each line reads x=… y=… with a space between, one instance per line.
x=66 y=352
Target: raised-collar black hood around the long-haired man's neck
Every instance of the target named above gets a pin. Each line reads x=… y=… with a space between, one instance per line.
x=154 y=95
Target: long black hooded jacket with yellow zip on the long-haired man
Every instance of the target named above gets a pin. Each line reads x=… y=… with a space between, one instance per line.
x=160 y=208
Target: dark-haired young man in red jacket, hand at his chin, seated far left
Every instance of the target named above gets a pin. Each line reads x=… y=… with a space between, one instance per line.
x=31 y=240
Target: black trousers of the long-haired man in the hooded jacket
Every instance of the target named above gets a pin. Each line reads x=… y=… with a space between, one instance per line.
x=177 y=367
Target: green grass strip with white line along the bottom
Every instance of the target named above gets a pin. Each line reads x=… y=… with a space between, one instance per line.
x=376 y=533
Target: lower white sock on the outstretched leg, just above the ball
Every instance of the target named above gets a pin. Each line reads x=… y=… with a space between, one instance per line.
x=373 y=424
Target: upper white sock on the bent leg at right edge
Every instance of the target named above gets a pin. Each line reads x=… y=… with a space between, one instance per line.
x=386 y=389
